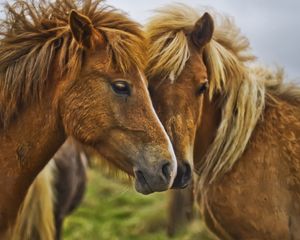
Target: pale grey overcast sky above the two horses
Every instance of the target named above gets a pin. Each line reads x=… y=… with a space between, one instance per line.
x=273 y=26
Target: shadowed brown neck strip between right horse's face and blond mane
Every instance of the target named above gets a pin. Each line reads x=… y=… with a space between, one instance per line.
x=207 y=130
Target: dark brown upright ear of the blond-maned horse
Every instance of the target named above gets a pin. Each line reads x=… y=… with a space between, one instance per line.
x=203 y=31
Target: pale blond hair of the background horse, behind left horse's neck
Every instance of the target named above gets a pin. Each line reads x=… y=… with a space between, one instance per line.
x=36 y=215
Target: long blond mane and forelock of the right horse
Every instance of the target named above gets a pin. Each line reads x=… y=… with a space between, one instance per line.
x=243 y=88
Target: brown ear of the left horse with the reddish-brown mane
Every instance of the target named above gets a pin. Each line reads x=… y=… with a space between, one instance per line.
x=82 y=29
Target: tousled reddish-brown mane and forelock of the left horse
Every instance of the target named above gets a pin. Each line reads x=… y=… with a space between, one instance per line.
x=35 y=33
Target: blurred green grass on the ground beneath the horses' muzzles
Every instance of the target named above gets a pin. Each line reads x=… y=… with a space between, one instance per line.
x=112 y=210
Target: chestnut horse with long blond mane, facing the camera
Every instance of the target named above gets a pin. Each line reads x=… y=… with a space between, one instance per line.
x=236 y=120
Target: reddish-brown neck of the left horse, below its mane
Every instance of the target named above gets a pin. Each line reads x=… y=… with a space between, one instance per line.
x=26 y=146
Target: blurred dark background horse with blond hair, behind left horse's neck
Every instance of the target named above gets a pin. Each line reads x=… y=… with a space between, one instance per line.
x=55 y=193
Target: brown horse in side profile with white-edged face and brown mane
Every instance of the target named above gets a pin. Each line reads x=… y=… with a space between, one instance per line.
x=70 y=69
